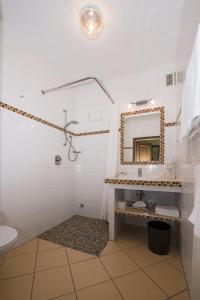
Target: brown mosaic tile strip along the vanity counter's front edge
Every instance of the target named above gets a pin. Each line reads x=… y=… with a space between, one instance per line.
x=174 y=183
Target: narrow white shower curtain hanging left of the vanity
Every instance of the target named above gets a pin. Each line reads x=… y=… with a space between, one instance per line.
x=112 y=159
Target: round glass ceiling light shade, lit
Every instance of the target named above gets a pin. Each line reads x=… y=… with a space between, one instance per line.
x=91 y=21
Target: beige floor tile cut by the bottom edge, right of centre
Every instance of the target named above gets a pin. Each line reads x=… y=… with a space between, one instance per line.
x=138 y=286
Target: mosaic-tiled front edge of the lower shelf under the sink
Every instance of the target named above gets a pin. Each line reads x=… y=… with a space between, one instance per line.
x=147 y=215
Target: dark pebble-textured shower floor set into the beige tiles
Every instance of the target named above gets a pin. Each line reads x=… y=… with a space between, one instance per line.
x=80 y=233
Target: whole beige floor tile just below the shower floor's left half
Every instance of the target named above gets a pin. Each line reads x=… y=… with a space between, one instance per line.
x=50 y=259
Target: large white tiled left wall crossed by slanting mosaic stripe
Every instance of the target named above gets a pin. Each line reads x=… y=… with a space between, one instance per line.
x=35 y=194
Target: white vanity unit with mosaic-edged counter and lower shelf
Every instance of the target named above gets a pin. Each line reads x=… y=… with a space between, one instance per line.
x=116 y=186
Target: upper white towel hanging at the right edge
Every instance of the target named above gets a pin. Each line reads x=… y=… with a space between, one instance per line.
x=190 y=111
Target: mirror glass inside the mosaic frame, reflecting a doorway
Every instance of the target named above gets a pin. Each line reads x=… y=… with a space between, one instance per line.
x=141 y=138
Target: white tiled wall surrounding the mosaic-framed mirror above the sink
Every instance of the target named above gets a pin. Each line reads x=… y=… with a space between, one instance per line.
x=145 y=85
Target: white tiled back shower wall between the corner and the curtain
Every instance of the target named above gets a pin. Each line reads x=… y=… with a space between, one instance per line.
x=90 y=167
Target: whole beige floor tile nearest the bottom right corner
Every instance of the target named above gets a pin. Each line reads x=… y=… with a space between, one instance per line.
x=170 y=280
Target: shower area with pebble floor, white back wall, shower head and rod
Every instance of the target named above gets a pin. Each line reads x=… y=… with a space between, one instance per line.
x=86 y=147
